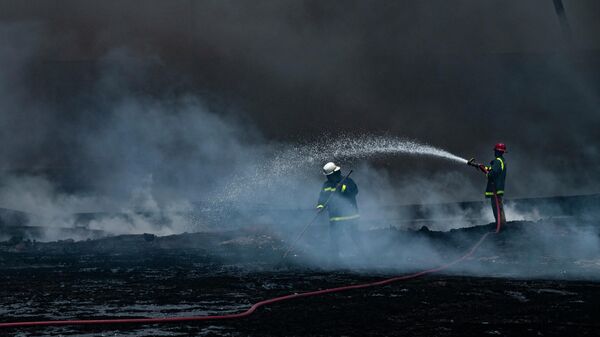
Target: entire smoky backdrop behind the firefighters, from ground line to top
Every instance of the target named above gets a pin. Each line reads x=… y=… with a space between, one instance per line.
x=154 y=105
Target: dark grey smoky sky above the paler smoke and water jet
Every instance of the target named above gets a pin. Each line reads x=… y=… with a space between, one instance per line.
x=459 y=74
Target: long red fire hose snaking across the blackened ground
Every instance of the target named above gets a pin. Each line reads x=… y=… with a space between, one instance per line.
x=257 y=305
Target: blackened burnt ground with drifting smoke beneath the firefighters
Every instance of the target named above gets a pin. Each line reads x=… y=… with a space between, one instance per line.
x=532 y=279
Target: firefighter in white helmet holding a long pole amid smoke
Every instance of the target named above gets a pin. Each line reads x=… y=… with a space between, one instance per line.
x=338 y=196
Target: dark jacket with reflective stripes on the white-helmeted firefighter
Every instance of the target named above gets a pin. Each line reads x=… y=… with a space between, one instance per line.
x=342 y=204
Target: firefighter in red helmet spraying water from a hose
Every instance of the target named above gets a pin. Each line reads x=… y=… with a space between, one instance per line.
x=496 y=176
